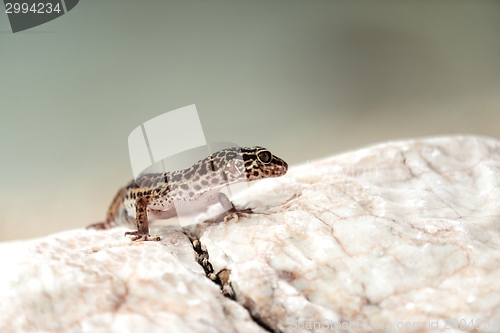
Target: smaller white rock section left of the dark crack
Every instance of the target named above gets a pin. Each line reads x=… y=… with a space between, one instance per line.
x=89 y=281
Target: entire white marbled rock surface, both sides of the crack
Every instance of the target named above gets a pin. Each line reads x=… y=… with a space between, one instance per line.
x=402 y=234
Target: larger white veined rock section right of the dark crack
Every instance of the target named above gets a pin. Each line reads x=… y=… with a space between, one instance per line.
x=395 y=233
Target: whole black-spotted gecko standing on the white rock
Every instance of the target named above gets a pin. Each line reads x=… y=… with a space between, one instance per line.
x=156 y=195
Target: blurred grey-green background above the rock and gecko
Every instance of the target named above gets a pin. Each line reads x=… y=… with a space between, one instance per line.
x=306 y=79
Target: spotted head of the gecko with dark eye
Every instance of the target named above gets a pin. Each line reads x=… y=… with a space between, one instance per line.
x=260 y=163
